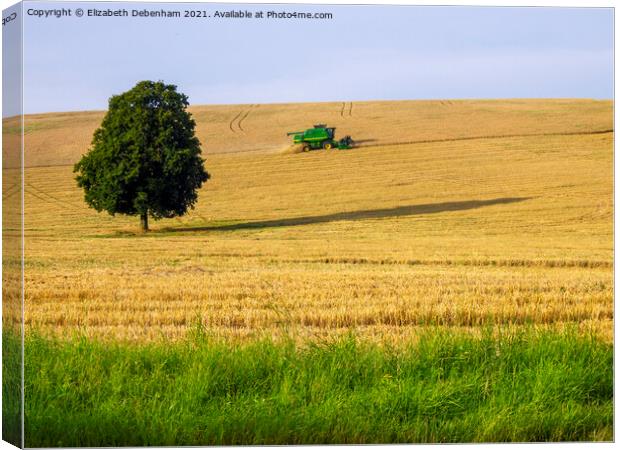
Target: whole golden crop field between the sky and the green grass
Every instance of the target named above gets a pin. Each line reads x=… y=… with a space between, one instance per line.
x=456 y=226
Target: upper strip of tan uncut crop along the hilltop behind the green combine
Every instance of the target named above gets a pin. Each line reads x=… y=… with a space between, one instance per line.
x=60 y=138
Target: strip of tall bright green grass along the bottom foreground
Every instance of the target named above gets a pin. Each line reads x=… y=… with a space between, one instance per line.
x=445 y=387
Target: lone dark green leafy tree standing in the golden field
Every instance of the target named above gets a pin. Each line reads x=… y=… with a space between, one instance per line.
x=144 y=159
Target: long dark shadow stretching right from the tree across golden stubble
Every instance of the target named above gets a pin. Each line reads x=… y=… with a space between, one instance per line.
x=410 y=210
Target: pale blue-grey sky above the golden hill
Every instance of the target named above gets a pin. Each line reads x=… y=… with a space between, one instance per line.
x=363 y=53
